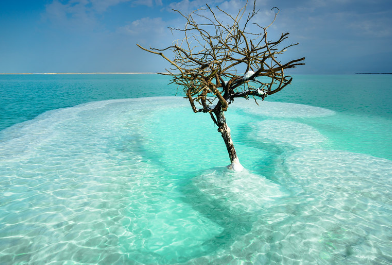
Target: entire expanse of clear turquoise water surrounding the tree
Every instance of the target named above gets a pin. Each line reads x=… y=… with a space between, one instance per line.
x=132 y=176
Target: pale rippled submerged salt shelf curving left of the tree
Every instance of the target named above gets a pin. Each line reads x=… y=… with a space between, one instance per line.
x=80 y=190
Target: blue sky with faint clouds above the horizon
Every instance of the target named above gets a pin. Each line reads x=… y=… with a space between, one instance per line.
x=41 y=36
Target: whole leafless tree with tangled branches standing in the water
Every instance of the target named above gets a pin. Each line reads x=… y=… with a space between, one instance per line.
x=208 y=60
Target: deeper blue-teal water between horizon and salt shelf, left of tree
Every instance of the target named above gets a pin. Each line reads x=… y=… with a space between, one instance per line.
x=23 y=97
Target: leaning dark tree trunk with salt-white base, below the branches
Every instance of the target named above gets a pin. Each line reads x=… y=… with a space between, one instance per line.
x=225 y=132
